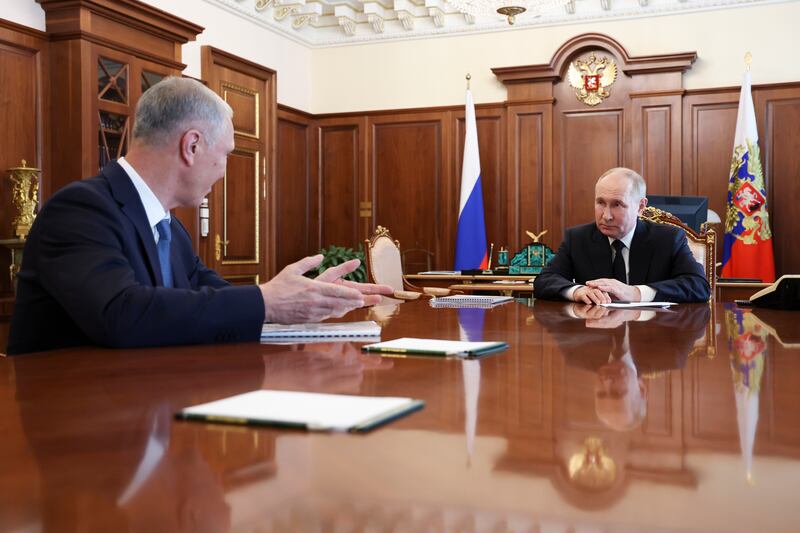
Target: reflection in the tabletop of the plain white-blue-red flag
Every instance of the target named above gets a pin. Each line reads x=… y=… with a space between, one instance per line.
x=470 y=324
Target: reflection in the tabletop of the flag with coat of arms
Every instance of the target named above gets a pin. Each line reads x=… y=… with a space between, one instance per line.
x=748 y=343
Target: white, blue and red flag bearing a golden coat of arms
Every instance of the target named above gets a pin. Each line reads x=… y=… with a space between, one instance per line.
x=747 y=247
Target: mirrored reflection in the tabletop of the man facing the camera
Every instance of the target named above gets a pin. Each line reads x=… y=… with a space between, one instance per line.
x=622 y=345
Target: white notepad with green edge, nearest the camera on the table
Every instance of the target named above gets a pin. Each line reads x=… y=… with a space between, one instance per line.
x=303 y=410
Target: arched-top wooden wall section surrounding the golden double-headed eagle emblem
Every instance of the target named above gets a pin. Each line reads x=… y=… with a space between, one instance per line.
x=588 y=140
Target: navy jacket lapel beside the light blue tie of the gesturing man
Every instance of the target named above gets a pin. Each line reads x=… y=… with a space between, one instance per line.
x=125 y=194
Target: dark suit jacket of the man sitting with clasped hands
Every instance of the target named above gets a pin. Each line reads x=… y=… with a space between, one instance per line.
x=659 y=257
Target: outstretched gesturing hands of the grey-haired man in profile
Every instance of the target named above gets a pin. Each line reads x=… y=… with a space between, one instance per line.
x=292 y=298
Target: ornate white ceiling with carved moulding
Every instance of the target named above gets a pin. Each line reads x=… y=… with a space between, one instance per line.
x=340 y=22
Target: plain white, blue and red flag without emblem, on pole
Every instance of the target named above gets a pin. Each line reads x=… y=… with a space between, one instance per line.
x=471 y=234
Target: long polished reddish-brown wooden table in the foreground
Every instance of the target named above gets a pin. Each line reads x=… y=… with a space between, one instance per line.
x=678 y=420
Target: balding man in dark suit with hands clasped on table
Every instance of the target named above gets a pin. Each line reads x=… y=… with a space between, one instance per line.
x=619 y=257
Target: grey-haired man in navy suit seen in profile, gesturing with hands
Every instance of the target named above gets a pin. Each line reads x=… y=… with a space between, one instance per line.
x=105 y=263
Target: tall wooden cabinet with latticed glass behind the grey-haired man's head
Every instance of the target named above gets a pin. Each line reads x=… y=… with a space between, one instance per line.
x=104 y=55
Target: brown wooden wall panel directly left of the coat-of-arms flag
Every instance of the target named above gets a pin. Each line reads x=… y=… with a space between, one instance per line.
x=709 y=123
